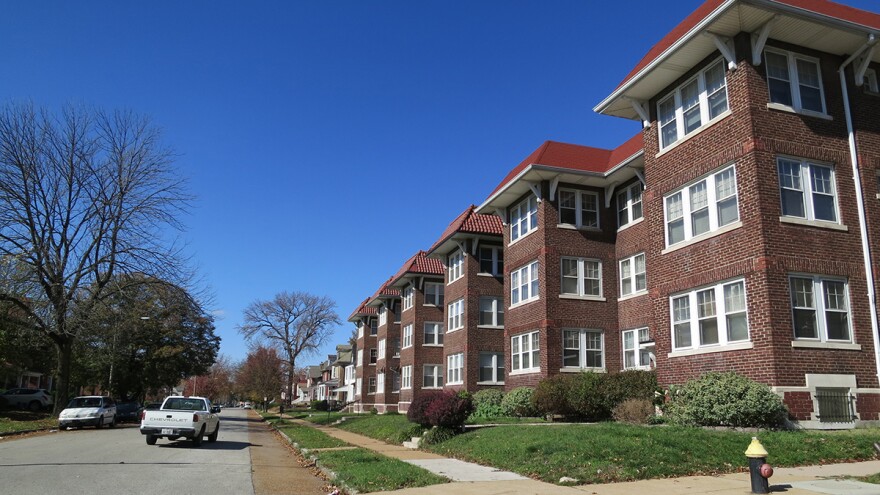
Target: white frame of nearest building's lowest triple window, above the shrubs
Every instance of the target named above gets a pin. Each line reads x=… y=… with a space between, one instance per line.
x=684 y=309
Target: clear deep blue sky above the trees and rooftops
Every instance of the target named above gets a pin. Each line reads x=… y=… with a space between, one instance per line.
x=328 y=141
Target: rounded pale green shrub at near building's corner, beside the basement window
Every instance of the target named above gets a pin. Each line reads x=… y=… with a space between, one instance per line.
x=726 y=399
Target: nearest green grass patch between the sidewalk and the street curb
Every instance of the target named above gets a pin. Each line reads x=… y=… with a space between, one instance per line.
x=367 y=471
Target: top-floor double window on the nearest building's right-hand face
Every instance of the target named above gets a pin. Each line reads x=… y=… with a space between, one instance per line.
x=795 y=81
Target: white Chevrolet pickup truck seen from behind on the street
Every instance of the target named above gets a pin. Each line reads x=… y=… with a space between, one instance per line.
x=182 y=417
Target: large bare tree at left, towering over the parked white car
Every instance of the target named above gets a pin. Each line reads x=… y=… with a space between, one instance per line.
x=84 y=195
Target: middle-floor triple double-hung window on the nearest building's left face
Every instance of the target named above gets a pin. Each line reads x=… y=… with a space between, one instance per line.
x=702 y=207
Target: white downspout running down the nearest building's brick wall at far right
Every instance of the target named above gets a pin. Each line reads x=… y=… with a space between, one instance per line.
x=860 y=202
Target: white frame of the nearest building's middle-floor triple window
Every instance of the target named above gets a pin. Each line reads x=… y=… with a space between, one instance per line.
x=687 y=213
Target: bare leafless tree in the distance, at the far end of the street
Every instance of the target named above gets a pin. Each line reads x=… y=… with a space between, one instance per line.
x=296 y=324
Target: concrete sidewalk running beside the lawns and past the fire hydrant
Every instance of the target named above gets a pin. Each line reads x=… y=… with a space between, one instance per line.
x=473 y=479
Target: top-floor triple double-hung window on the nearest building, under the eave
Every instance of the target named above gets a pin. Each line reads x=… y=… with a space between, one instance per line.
x=692 y=105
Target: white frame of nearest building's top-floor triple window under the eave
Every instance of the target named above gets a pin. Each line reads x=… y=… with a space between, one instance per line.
x=702 y=106
